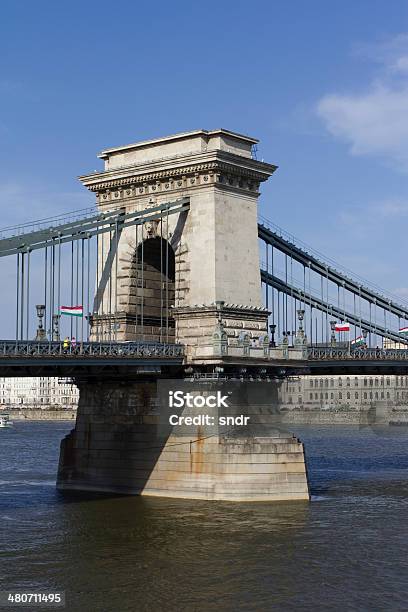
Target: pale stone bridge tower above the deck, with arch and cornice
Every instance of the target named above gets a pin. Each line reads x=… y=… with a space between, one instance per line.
x=176 y=278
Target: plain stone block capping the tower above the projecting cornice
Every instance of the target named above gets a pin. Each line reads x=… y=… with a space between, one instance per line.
x=187 y=142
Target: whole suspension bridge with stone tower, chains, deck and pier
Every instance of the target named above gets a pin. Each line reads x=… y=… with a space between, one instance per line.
x=173 y=279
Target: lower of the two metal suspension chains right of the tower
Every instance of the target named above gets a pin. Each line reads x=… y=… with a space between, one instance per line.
x=315 y=302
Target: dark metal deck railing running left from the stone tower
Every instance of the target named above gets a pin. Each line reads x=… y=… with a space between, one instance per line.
x=33 y=348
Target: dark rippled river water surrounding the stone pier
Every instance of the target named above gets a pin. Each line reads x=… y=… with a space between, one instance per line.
x=346 y=550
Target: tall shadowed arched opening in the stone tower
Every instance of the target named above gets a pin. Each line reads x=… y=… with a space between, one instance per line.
x=154 y=263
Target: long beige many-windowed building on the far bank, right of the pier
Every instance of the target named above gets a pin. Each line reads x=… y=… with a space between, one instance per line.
x=354 y=392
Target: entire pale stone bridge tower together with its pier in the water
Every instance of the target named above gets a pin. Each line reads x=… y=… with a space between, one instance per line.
x=192 y=278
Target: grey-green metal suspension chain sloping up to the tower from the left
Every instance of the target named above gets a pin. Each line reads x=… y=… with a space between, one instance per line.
x=88 y=227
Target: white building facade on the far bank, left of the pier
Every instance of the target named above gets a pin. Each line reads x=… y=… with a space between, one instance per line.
x=37 y=393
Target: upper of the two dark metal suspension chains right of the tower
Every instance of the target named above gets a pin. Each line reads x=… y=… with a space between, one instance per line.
x=308 y=260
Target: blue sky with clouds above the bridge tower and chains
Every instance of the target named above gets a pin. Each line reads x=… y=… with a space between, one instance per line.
x=323 y=85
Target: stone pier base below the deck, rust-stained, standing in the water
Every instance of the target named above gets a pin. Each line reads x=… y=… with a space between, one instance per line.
x=119 y=446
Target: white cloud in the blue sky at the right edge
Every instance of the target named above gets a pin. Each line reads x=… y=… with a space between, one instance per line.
x=375 y=122
